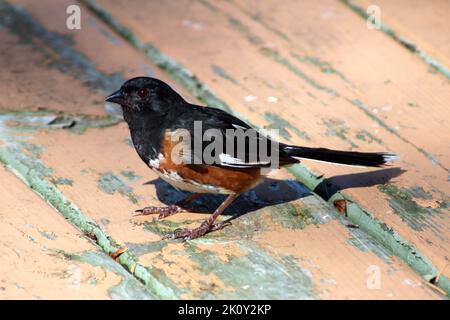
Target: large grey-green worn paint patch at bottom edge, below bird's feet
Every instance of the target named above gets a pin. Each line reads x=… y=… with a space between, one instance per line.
x=277 y=277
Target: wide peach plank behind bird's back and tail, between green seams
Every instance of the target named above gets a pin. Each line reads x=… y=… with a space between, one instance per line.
x=336 y=84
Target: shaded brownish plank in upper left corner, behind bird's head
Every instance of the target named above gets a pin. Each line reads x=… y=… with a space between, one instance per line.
x=66 y=63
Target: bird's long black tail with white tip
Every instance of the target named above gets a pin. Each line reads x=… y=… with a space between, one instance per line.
x=368 y=159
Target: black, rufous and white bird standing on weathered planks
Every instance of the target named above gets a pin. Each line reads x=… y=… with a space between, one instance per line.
x=172 y=137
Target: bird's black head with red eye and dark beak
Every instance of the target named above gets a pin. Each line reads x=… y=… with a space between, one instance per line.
x=145 y=94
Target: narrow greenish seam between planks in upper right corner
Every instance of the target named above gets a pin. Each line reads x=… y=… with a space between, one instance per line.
x=429 y=60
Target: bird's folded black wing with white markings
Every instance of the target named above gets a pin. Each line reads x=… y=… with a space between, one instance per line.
x=242 y=146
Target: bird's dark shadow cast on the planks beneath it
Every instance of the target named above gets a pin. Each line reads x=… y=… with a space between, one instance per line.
x=272 y=192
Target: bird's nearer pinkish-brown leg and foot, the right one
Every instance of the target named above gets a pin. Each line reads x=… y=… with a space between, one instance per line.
x=207 y=226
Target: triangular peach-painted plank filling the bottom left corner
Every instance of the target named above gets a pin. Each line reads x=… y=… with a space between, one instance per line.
x=44 y=257
